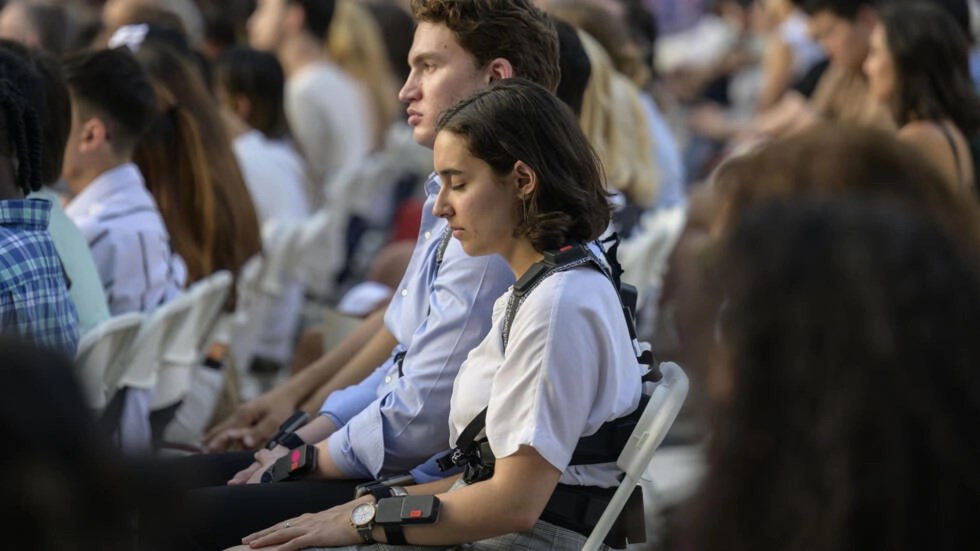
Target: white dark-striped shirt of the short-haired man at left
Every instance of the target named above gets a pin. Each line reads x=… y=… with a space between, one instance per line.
x=129 y=242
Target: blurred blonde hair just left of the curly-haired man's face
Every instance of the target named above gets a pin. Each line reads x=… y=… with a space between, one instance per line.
x=355 y=43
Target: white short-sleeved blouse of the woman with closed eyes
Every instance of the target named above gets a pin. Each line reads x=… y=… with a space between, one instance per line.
x=569 y=367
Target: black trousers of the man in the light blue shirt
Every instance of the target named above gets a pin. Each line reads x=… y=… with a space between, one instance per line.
x=217 y=516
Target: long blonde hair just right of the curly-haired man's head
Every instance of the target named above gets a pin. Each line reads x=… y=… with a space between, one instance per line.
x=614 y=120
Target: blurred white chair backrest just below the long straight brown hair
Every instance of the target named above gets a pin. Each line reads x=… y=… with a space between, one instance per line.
x=184 y=350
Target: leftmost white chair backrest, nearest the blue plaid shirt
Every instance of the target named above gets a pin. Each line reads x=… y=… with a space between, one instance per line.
x=100 y=349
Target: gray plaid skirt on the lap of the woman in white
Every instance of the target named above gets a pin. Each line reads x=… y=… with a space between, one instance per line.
x=543 y=537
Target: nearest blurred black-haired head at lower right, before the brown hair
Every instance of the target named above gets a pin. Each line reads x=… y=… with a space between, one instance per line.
x=849 y=338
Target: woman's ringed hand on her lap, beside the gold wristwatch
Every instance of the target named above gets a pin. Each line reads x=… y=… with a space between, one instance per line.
x=330 y=528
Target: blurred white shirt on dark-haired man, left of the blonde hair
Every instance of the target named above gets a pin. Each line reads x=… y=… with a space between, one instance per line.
x=330 y=120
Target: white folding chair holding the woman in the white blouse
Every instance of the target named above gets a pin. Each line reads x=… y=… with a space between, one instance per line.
x=664 y=405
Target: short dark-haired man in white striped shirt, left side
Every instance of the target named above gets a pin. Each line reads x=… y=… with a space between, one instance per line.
x=112 y=105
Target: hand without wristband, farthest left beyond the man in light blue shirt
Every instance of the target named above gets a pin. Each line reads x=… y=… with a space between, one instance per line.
x=252 y=424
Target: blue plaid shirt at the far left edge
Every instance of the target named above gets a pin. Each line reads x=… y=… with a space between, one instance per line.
x=34 y=301
